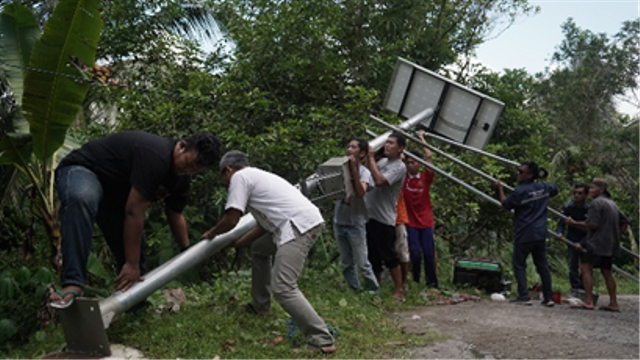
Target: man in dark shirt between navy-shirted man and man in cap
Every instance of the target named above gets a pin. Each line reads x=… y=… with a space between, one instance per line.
x=577 y=210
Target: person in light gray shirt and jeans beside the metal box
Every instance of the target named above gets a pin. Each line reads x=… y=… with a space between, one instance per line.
x=350 y=218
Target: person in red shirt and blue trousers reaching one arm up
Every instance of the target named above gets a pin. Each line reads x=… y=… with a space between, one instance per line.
x=416 y=192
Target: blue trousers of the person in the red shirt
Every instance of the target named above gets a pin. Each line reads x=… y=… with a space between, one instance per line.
x=422 y=245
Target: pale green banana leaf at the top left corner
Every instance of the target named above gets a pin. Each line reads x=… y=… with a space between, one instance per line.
x=18 y=31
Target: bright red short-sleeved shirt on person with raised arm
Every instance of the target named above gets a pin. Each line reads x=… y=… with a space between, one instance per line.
x=416 y=192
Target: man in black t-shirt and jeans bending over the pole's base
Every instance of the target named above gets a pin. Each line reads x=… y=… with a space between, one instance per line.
x=112 y=182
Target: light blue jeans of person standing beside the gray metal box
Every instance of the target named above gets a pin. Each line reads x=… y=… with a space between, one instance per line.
x=352 y=245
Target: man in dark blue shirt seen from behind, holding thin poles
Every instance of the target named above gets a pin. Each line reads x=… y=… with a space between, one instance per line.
x=529 y=201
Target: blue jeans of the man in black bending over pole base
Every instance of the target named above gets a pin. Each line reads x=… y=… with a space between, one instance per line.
x=84 y=201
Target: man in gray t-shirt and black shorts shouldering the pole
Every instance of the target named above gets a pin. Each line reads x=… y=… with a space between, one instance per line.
x=388 y=175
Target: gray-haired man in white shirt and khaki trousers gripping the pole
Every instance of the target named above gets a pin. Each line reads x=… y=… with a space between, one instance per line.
x=289 y=225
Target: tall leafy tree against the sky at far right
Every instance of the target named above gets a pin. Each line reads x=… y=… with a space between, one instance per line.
x=579 y=97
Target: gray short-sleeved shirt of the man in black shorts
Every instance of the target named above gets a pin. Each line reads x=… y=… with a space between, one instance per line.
x=382 y=201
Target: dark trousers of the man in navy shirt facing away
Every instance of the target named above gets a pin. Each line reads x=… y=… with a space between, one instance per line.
x=537 y=249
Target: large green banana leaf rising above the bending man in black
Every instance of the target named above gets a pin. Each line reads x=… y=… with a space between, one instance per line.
x=51 y=100
